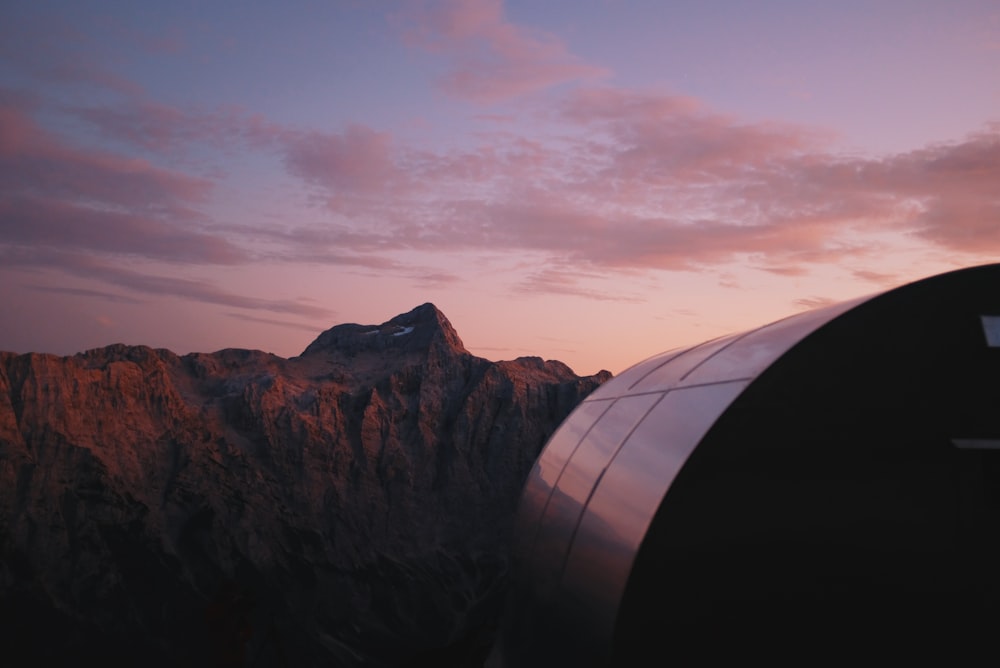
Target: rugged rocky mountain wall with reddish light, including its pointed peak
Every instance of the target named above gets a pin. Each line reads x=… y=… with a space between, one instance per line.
x=359 y=496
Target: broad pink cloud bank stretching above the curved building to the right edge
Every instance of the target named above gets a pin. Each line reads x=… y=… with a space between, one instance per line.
x=644 y=181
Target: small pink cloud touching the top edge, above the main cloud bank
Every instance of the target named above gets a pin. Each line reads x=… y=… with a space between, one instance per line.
x=491 y=59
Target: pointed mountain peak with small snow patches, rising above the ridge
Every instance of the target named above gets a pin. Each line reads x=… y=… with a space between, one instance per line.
x=418 y=329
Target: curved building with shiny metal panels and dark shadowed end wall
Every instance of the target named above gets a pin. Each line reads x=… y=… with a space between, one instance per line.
x=826 y=482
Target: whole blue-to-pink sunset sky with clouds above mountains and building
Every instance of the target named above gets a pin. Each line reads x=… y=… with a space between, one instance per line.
x=590 y=181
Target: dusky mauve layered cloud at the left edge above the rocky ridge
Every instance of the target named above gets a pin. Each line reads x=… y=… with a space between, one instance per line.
x=56 y=197
